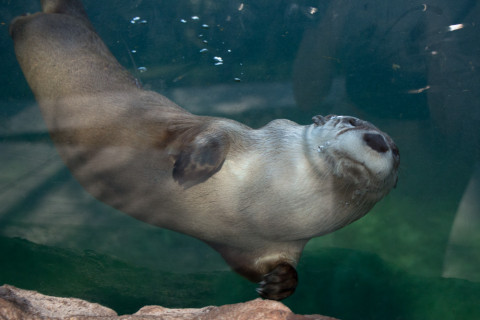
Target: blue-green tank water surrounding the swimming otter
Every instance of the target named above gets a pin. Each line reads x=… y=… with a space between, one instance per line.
x=411 y=68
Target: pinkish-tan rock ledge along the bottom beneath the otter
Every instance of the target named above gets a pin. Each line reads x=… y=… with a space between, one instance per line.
x=18 y=304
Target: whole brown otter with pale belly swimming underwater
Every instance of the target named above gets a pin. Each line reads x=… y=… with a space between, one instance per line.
x=257 y=196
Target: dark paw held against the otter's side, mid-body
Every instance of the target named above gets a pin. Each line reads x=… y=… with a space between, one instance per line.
x=199 y=159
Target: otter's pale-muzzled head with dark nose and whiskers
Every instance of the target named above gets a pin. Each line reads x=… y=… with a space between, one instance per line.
x=355 y=152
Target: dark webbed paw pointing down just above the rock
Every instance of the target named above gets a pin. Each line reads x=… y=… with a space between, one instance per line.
x=279 y=283
